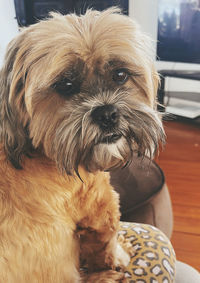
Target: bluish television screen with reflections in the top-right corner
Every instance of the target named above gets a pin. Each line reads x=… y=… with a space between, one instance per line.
x=179 y=31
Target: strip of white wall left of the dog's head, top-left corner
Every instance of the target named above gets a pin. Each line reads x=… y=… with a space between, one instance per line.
x=8 y=25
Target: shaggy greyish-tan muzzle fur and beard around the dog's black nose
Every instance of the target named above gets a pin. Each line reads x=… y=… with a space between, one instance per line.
x=79 y=141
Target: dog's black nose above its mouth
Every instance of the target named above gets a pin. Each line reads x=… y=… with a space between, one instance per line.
x=106 y=116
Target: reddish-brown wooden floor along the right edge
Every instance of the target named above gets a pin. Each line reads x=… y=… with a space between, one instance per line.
x=180 y=162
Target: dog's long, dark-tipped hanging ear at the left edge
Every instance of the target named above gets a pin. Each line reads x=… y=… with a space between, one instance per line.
x=13 y=115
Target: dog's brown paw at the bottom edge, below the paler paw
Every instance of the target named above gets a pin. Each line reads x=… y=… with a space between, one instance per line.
x=108 y=276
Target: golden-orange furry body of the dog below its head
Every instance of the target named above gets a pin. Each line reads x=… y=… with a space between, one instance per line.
x=45 y=216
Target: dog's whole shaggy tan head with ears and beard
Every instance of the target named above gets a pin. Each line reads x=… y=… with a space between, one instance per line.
x=82 y=90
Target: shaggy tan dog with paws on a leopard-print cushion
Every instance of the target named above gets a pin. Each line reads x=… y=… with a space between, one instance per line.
x=78 y=99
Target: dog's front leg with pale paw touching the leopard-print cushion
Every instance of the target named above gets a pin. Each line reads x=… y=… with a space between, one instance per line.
x=100 y=249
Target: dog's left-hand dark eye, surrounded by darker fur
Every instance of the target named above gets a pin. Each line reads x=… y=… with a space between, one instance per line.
x=66 y=87
